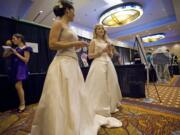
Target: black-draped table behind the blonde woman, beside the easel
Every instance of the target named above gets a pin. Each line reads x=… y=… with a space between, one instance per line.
x=131 y=79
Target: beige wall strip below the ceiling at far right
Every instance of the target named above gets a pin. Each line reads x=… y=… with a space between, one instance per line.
x=173 y=48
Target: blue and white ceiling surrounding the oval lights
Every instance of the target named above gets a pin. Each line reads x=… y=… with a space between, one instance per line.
x=159 y=16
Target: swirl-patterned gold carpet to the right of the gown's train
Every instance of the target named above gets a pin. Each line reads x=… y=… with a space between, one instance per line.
x=140 y=121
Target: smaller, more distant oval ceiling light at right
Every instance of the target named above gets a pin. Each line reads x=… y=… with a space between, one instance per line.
x=153 y=38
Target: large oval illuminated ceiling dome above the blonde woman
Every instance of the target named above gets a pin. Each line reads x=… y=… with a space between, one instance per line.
x=121 y=14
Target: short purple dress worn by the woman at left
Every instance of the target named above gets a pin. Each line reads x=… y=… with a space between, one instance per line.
x=19 y=70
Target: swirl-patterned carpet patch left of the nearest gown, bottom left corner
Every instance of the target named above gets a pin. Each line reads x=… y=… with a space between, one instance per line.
x=12 y=123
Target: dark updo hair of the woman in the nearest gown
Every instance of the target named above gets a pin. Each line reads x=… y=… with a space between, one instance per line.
x=59 y=10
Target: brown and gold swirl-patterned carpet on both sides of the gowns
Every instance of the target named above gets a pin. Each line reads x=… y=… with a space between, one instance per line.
x=136 y=120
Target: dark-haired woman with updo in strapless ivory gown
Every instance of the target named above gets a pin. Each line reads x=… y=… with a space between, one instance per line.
x=62 y=109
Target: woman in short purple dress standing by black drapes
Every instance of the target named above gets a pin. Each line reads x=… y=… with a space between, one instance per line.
x=19 y=70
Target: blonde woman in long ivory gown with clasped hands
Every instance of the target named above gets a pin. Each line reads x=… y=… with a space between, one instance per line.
x=102 y=84
